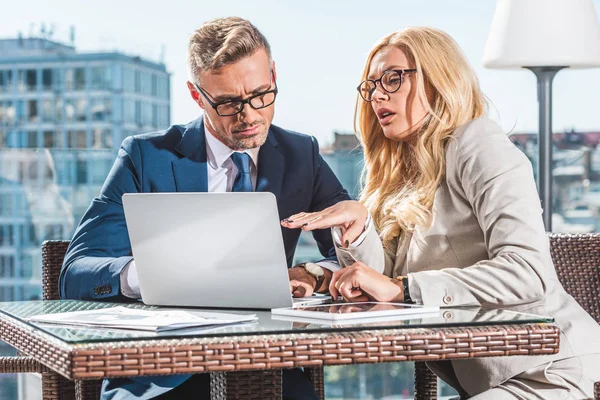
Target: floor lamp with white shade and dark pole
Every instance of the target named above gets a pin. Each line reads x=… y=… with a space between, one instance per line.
x=544 y=36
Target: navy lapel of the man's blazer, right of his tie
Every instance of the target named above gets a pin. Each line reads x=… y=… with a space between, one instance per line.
x=270 y=167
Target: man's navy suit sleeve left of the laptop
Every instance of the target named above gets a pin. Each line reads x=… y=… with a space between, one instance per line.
x=100 y=247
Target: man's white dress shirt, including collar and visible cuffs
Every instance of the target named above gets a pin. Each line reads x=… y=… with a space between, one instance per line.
x=221 y=175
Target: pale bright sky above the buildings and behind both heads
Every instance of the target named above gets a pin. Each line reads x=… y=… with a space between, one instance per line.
x=319 y=47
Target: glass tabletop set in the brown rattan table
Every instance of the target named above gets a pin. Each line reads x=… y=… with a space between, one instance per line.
x=266 y=323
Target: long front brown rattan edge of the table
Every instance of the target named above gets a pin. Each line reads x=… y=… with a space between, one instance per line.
x=184 y=356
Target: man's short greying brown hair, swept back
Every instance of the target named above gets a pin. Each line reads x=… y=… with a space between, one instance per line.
x=223 y=41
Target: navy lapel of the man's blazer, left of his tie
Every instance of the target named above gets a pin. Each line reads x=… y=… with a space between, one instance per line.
x=190 y=172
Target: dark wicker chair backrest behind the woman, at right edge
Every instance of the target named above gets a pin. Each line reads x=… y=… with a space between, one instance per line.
x=577 y=261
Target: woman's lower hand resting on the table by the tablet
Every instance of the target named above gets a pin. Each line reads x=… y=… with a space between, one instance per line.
x=359 y=282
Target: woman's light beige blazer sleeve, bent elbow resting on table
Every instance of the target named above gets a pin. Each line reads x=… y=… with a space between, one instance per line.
x=497 y=180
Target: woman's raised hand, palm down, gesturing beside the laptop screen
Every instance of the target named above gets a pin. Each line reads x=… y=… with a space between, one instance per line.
x=349 y=215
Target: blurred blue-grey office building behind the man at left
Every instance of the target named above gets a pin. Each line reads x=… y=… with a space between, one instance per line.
x=63 y=115
